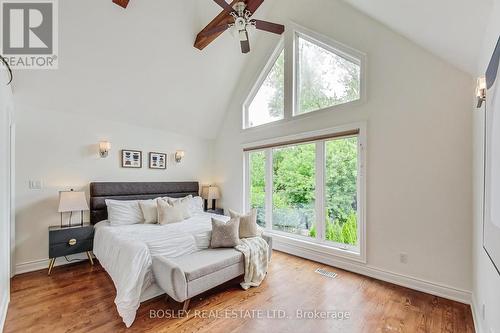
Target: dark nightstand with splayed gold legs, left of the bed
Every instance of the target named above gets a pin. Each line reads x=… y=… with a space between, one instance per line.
x=70 y=240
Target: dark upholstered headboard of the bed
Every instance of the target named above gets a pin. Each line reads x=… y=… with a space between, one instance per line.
x=99 y=192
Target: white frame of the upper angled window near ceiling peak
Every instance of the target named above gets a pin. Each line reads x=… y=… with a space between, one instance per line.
x=288 y=44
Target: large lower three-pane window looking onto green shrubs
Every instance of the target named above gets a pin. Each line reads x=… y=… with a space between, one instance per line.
x=314 y=188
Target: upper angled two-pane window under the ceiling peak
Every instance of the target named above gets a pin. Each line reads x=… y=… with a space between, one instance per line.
x=307 y=72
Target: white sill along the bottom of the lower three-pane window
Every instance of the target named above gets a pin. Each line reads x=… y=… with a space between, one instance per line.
x=316 y=246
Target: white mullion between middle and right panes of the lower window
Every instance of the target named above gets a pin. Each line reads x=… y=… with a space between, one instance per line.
x=320 y=190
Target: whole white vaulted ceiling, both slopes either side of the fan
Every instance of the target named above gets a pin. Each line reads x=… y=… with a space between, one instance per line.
x=139 y=65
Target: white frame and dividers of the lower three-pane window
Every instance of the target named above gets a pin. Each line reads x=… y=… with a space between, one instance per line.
x=318 y=243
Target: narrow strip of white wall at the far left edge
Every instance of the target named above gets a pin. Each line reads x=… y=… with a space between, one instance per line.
x=5 y=219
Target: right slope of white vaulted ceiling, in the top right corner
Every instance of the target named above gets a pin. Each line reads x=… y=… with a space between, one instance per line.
x=451 y=29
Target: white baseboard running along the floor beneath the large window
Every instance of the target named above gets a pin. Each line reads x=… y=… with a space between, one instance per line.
x=379 y=274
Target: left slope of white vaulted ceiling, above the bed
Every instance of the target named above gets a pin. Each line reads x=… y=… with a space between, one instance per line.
x=137 y=66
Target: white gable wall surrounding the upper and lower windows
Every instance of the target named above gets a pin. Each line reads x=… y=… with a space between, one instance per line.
x=419 y=188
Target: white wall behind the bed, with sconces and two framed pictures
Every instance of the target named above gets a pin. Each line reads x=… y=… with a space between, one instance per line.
x=61 y=150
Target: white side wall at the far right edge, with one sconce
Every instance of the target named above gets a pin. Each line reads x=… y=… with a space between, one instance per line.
x=486 y=280
